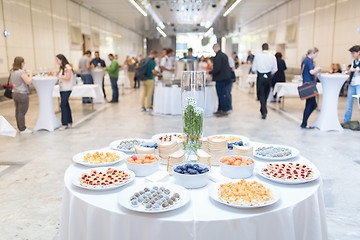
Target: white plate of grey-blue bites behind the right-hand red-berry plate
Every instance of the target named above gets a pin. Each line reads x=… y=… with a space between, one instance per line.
x=275 y=152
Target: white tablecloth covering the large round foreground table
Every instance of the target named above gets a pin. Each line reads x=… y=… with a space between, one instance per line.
x=299 y=214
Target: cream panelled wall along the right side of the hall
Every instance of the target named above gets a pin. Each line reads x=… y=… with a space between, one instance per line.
x=330 y=25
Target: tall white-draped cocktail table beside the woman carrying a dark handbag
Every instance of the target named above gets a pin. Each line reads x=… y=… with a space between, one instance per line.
x=331 y=85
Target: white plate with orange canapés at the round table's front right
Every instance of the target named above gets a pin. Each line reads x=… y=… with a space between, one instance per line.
x=245 y=194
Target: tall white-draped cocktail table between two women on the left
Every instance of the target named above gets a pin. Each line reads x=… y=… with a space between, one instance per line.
x=44 y=88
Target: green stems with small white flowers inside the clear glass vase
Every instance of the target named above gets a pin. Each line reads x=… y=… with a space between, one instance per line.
x=193 y=124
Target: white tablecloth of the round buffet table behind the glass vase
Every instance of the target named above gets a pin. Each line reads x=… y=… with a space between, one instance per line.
x=167 y=100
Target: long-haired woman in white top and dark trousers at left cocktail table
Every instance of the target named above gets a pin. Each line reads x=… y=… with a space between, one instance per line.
x=66 y=74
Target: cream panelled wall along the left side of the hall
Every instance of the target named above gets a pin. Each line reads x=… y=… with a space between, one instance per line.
x=40 y=29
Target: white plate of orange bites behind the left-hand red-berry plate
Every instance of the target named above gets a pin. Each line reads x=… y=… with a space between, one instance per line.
x=99 y=158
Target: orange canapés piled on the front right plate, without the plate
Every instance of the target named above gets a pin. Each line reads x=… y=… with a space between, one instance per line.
x=244 y=193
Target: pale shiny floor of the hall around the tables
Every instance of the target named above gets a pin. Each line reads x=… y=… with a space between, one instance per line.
x=32 y=166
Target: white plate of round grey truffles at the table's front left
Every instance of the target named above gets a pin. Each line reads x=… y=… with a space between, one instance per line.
x=154 y=198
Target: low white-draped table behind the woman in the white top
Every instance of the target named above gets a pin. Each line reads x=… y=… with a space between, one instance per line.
x=87 y=90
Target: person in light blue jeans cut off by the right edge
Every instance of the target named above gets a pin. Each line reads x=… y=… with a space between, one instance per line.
x=354 y=82
